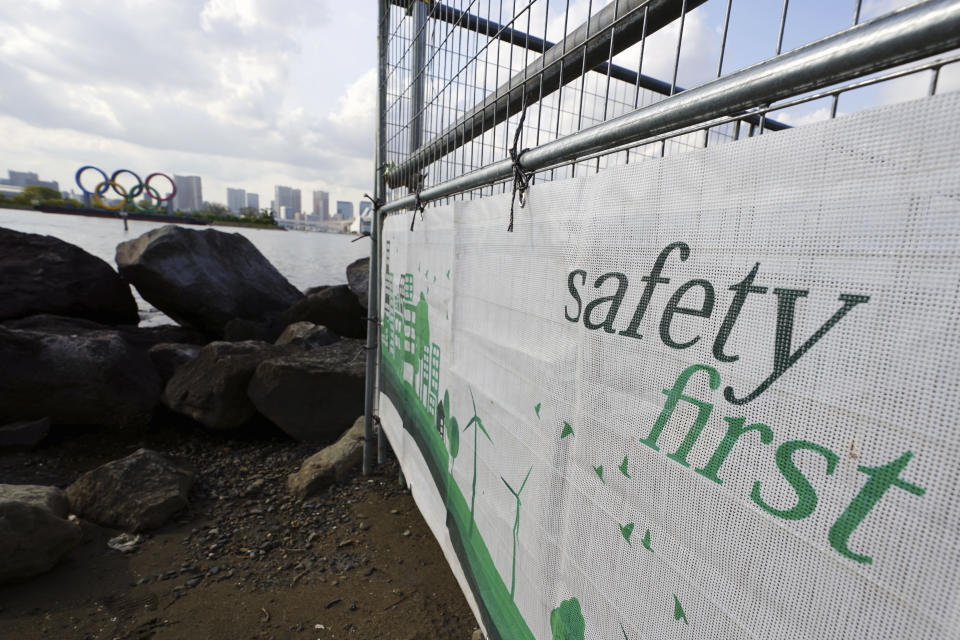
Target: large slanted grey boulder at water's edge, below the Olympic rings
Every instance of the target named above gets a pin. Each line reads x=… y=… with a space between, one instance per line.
x=205 y=278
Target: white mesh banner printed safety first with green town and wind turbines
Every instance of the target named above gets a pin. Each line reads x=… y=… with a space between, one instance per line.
x=708 y=396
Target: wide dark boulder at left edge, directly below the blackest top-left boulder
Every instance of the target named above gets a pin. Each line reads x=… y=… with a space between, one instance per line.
x=93 y=378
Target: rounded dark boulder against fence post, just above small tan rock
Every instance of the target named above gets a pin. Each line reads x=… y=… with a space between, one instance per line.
x=312 y=395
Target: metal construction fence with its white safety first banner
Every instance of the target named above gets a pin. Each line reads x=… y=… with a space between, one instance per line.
x=664 y=311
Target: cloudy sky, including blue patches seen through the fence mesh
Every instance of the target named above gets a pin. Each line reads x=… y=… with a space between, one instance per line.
x=254 y=93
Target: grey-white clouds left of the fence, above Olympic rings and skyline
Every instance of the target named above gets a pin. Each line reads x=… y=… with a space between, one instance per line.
x=209 y=87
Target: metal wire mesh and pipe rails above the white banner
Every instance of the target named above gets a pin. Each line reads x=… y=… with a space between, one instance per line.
x=457 y=77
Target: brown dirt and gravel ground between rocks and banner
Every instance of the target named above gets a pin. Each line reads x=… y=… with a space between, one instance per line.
x=245 y=560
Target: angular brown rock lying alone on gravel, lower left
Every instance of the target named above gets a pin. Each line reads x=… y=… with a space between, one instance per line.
x=135 y=493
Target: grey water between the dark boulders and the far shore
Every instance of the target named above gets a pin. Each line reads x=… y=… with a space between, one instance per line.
x=305 y=259
